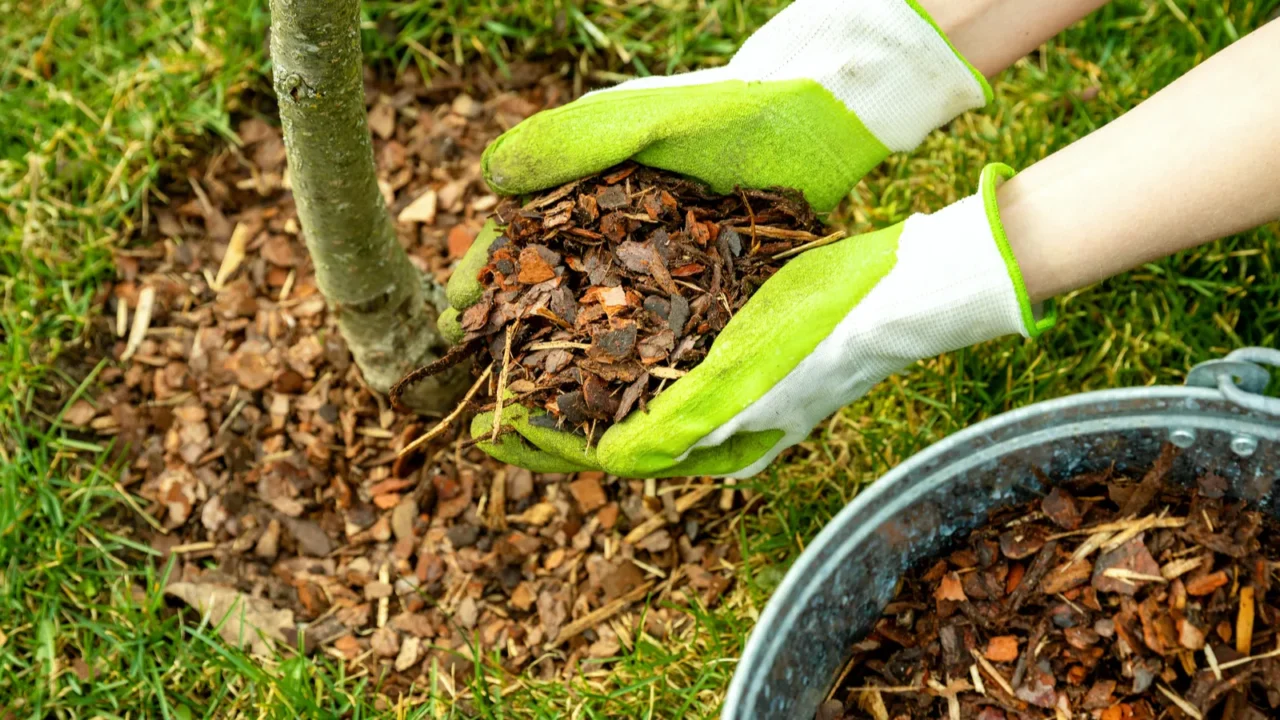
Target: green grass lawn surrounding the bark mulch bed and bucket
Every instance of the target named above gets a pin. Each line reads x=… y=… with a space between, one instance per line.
x=104 y=103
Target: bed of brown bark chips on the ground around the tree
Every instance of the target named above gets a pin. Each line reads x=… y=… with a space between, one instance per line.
x=266 y=467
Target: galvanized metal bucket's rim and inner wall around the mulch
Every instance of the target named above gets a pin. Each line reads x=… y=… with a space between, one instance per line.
x=847 y=576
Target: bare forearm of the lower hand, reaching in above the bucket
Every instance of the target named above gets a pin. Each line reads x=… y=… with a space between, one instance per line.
x=1199 y=161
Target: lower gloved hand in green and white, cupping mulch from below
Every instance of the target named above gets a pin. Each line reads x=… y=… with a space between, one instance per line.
x=828 y=327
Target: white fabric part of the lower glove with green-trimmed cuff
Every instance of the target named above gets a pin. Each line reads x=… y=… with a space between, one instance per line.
x=956 y=284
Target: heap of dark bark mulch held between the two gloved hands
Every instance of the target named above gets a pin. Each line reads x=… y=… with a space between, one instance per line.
x=605 y=290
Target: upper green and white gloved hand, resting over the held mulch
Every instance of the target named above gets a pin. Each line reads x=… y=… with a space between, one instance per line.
x=813 y=101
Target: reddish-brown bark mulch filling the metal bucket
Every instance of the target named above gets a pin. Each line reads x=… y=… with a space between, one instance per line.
x=1109 y=599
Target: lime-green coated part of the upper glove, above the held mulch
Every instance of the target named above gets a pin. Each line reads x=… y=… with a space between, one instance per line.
x=729 y=134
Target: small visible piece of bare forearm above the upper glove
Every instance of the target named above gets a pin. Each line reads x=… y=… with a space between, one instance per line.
x=994 y=34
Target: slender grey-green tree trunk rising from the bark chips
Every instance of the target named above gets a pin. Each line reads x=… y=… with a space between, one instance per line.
x=387 y=311
